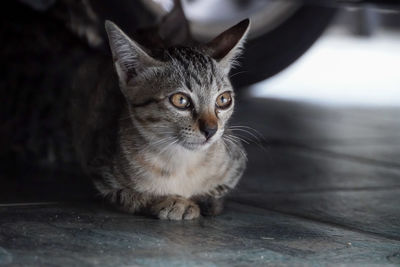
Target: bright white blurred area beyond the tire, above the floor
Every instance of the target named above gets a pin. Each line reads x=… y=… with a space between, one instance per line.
x=353 y=63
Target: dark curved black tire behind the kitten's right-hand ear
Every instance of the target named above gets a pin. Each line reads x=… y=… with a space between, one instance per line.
x=272 y=52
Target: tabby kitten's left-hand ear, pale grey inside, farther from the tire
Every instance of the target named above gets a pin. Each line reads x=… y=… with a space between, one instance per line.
x=129 y=57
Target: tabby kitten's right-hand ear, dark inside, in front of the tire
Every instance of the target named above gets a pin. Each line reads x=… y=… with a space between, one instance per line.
x=228 y=45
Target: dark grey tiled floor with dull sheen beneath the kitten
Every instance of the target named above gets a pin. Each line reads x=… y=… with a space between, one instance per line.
x=322 y=187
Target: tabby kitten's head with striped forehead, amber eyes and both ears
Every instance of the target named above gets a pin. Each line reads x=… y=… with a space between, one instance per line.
x=183 y=96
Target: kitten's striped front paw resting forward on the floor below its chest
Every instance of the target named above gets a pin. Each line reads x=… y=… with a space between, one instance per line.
x=176 y=208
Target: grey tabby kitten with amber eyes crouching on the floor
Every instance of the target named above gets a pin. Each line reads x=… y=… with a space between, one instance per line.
x=160 y=144
